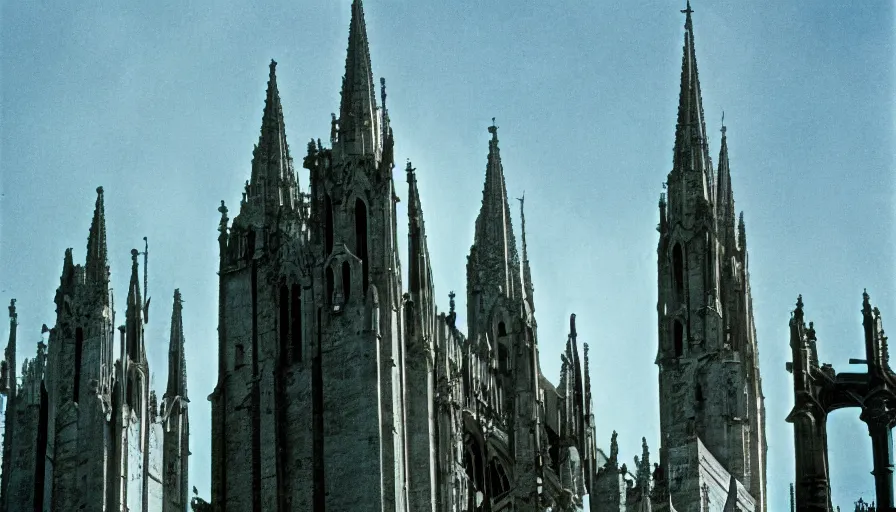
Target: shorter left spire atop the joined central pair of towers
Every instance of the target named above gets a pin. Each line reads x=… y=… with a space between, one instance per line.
x=273 y=184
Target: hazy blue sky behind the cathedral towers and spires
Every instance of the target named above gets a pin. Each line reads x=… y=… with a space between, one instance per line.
x=161 y=104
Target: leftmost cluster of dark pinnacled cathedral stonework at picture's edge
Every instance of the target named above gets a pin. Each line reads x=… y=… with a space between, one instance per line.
x=82 y=430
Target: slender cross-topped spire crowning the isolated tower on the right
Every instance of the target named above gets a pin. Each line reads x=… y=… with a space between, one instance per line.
x=691 y=147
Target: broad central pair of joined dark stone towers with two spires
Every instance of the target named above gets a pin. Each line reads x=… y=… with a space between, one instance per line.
x=310 y=393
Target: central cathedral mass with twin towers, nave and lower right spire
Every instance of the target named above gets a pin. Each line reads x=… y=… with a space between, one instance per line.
x=340 y=387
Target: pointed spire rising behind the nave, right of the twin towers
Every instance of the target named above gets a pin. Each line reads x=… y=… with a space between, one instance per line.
x=493 y=267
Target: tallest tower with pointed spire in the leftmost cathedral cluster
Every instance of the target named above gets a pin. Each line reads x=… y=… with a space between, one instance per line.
x=81 y=359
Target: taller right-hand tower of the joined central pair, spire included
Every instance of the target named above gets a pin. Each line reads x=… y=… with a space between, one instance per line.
x=358 y=366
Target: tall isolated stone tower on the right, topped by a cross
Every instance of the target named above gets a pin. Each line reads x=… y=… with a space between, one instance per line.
x=710 y=390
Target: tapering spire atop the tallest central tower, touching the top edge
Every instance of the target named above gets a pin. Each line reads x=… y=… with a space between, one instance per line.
x=359 y=130
